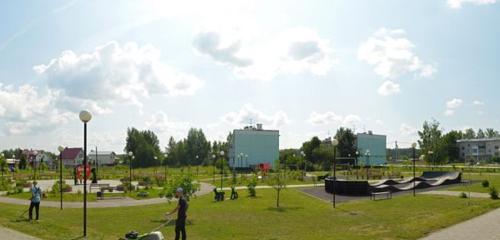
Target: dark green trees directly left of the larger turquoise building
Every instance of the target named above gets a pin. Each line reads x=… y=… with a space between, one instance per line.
x=195 y=149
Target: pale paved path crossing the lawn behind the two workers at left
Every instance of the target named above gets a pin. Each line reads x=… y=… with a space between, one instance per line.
x=205 y=188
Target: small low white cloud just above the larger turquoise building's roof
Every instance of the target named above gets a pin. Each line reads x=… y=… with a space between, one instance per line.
x=250 y=113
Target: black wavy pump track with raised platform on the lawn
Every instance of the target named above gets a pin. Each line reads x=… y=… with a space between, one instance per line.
x=363 y=188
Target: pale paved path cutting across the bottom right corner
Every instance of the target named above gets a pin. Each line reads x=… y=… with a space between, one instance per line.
x=484 y=227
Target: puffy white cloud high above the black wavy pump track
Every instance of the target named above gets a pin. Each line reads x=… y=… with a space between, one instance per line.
x=392 y=55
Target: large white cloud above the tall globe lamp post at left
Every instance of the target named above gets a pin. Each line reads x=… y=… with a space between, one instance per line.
x=114 y=74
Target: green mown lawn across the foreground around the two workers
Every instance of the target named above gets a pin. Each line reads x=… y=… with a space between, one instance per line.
x=300 y=217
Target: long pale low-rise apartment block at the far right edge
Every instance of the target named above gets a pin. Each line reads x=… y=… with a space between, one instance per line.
x=478 y=149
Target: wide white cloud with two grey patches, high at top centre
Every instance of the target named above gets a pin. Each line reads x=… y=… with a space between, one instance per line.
x=294 y=51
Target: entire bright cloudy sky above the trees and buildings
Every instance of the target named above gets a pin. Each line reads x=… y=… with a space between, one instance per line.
x=303 y=67
